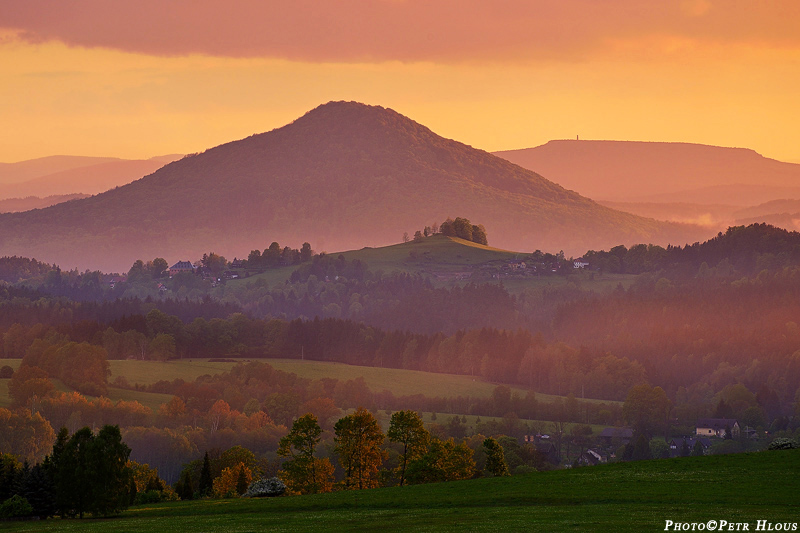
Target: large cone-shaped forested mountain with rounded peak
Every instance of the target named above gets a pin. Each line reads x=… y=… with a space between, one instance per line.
x=347 y=174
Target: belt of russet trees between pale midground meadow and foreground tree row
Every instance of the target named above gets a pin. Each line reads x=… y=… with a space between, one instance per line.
x=254 y=404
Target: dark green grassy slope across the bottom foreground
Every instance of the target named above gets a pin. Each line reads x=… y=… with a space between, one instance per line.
x=620 y=497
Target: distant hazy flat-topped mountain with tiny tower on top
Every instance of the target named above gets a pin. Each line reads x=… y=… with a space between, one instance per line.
x=661 y=172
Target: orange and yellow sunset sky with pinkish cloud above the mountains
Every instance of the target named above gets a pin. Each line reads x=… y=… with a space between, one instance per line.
x=138 y=79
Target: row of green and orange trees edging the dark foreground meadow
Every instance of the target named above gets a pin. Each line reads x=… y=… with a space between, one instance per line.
x=92 y=473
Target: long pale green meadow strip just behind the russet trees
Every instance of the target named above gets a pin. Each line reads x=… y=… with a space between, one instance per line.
x=399 y=382
